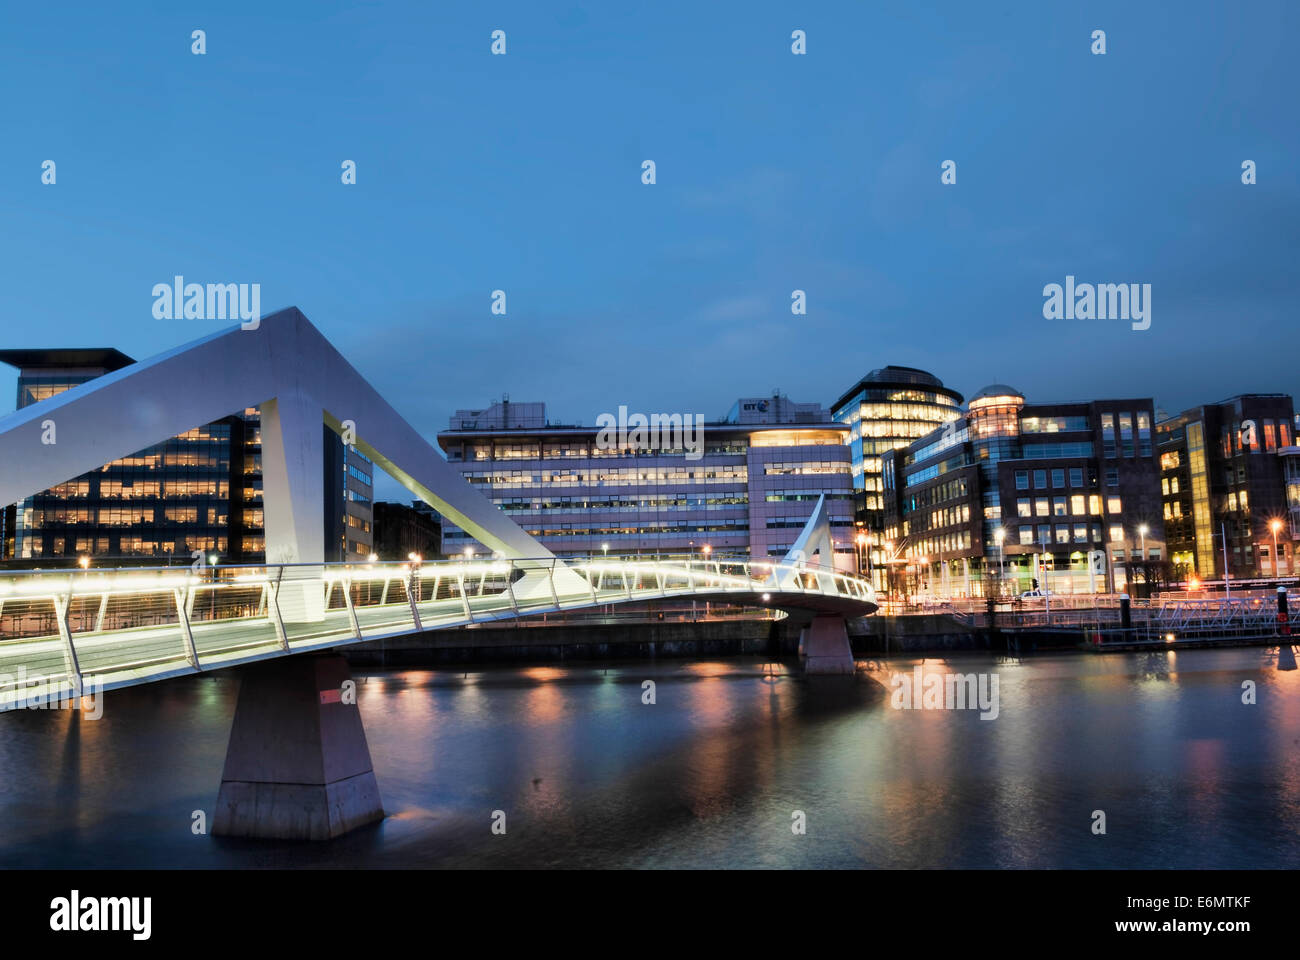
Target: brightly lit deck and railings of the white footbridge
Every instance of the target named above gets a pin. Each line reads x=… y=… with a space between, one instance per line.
x=132 y=625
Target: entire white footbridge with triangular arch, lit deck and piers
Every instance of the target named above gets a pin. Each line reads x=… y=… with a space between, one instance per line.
x=298 y=766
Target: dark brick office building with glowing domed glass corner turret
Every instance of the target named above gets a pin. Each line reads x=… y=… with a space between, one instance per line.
x=1016 y=492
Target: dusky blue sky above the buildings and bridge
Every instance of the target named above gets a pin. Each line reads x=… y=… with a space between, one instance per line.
x=775 y=172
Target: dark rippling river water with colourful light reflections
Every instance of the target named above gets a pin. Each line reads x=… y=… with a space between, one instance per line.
x=710 y=775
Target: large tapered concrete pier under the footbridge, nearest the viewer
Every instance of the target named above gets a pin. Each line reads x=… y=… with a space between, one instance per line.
x=298 y=767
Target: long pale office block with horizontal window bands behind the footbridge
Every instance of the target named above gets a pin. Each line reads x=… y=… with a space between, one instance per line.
x=746 y=491
